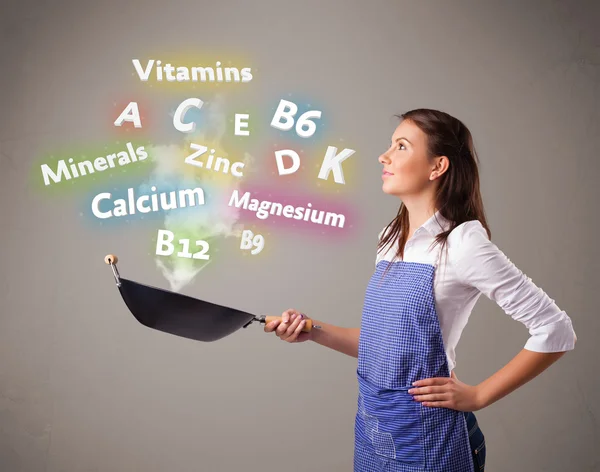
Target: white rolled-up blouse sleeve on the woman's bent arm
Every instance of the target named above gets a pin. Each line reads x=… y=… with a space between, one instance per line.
x=481 y=264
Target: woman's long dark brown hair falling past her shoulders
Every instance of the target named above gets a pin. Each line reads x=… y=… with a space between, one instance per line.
x=458 y=197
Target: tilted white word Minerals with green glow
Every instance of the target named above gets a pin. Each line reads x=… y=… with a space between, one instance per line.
x=89 y=167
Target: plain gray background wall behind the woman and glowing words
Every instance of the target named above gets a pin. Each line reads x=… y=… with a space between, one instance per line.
x=85 y=388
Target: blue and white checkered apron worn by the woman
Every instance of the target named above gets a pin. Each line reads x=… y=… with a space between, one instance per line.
x=400 y=342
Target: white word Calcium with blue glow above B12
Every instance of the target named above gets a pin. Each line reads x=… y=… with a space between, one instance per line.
x=147 y=203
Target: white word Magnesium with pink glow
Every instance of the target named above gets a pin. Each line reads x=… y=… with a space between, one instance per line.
x=265 y=208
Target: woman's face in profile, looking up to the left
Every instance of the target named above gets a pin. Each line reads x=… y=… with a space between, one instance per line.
x=407 y=170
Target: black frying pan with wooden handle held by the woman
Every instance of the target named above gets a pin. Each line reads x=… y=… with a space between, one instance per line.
x=181 y=315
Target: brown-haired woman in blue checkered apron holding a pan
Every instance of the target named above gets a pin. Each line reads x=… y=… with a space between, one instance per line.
x=413 y=413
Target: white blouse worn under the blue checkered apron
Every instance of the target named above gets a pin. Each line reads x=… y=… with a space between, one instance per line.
x=474 y=265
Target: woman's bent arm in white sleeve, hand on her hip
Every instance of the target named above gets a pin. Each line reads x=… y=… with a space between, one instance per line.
x=481 y=264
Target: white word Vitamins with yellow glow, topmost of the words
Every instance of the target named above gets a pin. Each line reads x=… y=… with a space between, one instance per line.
x=194 y=74
